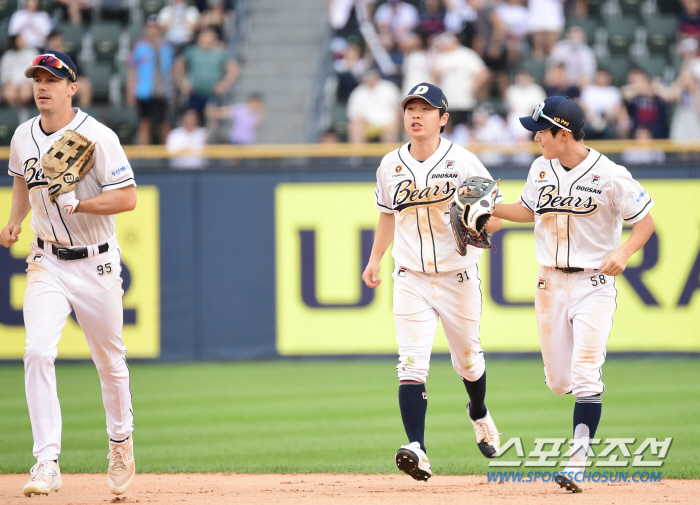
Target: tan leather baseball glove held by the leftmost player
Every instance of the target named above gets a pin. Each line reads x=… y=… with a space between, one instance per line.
x=69 y=159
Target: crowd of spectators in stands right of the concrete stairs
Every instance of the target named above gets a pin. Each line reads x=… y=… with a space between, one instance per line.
x=496 y=59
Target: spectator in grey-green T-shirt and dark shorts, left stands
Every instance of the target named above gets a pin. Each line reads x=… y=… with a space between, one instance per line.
x=205 y=71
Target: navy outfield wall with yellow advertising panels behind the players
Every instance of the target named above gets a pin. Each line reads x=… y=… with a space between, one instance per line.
x=254 y=264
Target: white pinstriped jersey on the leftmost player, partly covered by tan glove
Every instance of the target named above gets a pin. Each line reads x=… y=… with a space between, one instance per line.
x=111 y=170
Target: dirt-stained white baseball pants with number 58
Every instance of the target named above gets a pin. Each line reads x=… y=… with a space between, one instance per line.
x=574 y=318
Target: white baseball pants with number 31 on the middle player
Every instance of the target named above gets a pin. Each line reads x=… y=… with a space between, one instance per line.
x=419 y=300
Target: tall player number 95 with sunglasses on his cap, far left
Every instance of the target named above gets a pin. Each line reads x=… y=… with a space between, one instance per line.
x=74 y=265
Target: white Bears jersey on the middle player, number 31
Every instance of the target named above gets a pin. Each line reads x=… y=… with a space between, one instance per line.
x=419 y=195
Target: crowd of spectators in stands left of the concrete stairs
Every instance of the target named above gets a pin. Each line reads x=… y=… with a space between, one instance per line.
x=175 y=68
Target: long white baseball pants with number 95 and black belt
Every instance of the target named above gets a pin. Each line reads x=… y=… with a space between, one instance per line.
x=54 y=288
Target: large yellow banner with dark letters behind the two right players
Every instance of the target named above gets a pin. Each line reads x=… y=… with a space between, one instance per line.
x=324 y=234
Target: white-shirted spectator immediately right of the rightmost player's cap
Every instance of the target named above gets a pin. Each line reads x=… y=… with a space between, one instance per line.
x=603 y=107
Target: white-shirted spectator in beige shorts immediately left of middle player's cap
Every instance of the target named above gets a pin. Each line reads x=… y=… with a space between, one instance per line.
x=372 y=111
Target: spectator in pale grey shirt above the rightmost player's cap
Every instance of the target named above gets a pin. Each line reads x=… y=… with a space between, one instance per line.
x=577 y=57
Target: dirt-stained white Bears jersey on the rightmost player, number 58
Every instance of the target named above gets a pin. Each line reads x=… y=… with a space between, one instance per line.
x=579 y=213
